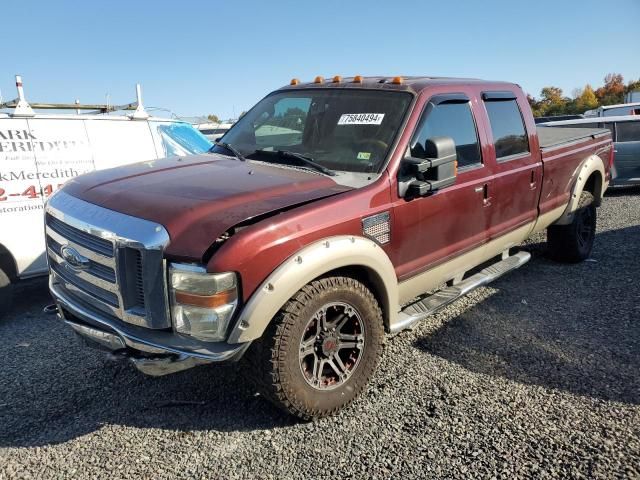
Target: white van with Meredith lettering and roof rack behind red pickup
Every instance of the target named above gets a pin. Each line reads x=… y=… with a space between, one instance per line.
x=40 y=152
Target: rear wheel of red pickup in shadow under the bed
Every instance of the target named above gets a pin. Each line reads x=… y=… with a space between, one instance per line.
x=573 y=243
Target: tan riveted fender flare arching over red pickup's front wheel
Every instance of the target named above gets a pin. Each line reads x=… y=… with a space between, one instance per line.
x=307 y=264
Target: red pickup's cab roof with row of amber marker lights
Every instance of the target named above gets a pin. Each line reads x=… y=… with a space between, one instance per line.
x=413 y=84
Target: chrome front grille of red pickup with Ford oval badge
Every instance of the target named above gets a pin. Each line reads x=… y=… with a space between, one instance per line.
x=108 y=260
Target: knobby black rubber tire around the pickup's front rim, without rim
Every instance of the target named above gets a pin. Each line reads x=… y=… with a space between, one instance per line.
x=274 y=364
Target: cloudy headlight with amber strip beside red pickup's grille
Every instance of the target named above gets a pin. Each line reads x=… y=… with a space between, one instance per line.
x=202 y=303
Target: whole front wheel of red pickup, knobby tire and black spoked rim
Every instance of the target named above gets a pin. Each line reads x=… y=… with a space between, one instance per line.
x=322 y=348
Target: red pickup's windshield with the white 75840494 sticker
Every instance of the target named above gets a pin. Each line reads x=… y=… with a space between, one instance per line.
x=340 y=129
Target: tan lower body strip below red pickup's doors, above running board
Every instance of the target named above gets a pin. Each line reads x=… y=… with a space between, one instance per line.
x=444 y=272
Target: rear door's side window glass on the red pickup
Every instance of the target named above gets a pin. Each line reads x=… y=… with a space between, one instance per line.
x=509 y=134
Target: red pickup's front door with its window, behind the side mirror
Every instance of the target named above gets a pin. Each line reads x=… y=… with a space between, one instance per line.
x=432 y=229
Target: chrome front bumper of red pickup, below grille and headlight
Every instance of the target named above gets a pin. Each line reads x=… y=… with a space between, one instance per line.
x=153 y=352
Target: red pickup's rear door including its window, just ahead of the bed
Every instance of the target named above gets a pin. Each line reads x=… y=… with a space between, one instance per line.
x=518 y=167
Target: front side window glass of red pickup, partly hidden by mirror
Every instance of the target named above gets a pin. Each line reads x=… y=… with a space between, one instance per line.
x=453 y=120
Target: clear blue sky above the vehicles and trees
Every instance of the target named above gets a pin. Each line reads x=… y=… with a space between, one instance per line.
x=198 y=57
